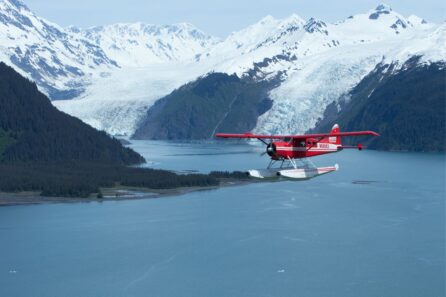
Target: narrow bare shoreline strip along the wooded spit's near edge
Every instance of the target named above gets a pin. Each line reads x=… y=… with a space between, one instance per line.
x=113 y=194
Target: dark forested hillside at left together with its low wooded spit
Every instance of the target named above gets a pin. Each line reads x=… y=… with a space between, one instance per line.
x=46 y=151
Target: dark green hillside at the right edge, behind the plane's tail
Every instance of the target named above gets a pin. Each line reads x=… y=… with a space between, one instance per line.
x=407 y=108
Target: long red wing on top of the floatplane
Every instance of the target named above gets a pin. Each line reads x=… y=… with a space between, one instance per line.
x=318 y=135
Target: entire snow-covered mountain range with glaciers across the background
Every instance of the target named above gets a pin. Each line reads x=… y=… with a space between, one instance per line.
x=114 y=74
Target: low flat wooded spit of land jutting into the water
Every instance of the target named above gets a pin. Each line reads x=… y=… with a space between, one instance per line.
x=46 y=183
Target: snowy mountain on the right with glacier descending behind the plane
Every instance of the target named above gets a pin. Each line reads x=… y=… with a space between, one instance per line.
x=318 y=62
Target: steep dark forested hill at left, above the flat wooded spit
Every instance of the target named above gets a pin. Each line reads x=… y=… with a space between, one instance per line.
x=32 y=129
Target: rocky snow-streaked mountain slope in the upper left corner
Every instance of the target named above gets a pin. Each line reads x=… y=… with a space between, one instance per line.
x=59 y=62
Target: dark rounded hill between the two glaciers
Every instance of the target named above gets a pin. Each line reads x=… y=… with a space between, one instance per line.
x=215 y=103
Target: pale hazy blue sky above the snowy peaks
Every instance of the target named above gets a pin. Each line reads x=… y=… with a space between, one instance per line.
x=217 y=17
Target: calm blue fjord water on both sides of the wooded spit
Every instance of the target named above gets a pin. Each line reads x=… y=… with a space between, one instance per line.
x=375 y=228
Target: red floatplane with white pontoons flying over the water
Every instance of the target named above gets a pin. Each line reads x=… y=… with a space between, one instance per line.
x=289 y=153
